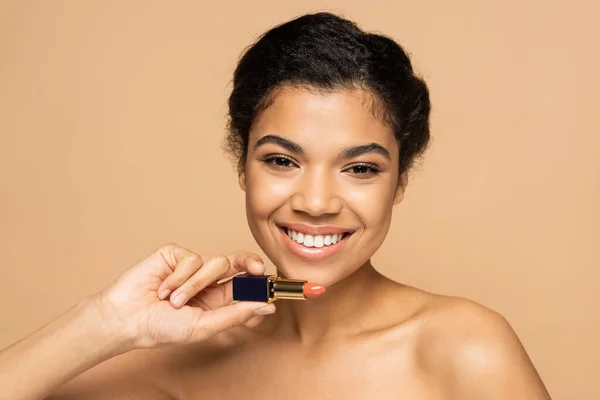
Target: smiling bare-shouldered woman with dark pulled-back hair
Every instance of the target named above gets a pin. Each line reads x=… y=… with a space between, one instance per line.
x=325 y=123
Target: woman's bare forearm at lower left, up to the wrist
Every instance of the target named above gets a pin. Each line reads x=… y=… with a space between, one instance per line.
x=56 y=353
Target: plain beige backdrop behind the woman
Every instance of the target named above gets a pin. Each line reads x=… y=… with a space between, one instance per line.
x=112 y=114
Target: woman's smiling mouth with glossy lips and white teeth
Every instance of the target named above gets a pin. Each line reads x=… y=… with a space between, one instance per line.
x=312 y=242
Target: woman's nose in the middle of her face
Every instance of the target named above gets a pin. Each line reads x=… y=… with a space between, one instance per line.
x=317 y=195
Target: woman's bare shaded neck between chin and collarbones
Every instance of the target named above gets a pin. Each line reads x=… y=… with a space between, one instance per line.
x=342 y=310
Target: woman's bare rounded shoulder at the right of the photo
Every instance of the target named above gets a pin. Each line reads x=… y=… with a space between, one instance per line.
x=474 y=352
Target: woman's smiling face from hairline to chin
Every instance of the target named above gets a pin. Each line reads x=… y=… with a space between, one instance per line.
x=321 y=168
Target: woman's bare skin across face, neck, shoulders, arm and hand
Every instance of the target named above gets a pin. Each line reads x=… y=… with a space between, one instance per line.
x=367 y=337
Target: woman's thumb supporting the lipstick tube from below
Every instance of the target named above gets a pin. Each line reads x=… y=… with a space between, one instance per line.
x=211 y=322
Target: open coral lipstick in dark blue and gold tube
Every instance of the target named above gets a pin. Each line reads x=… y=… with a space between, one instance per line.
x=269 y=288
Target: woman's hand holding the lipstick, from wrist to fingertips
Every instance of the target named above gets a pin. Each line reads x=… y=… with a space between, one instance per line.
x=172 y=297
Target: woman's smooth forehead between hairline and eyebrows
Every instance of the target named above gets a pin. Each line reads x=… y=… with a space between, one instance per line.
x=323 y=119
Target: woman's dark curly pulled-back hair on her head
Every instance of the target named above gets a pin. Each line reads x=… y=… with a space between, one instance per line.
x=323 y=51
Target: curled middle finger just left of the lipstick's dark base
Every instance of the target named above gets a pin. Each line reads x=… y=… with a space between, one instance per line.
x=209 y=273
